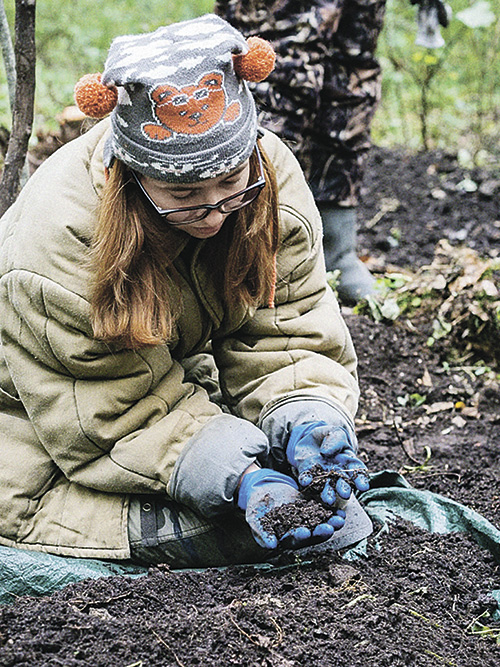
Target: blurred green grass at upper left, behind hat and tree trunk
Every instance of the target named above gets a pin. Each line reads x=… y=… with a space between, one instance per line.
x=73 y=38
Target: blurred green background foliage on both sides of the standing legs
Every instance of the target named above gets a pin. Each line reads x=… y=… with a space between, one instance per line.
x=446 y=98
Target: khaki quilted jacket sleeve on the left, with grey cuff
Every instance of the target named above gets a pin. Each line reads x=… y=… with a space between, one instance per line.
x=114 y=420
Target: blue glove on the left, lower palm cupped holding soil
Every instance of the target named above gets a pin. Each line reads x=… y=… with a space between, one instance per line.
x=265 y=489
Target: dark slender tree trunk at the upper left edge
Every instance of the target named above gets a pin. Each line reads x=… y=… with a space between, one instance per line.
x=22 y=116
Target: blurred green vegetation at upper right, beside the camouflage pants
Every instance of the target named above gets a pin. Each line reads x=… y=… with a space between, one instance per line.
x=445 y=97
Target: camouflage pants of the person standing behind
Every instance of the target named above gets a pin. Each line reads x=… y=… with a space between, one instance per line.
x=323 y=92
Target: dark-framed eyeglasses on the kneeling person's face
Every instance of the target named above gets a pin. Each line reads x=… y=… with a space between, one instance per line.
x=188 y=214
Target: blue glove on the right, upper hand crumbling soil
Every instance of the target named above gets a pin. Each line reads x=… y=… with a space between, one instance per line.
x=327 y=448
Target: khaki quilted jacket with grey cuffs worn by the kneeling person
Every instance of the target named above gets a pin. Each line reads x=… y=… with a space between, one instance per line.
x=83 y=424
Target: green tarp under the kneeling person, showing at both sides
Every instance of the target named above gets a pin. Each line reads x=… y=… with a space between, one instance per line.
x=390 y=495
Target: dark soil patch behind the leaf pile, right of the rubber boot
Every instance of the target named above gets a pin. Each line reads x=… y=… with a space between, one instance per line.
x=411 y=201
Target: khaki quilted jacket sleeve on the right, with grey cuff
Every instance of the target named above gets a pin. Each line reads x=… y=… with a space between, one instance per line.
x=301 y=348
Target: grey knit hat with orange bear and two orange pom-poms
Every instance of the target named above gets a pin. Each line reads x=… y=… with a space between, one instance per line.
x=183 y=110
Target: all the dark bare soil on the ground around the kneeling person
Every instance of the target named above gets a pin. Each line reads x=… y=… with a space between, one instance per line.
x=417 y=598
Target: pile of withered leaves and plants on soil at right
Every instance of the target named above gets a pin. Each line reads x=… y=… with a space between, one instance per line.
x=457 y=295
